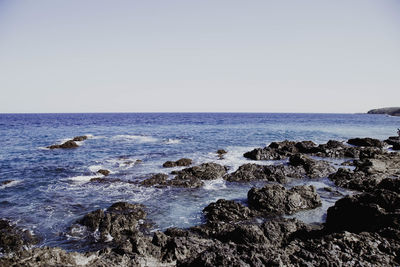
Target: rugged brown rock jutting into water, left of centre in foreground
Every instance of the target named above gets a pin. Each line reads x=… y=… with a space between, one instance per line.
x=118 y=222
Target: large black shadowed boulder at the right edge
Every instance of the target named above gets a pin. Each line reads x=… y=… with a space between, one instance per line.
x=365 y=212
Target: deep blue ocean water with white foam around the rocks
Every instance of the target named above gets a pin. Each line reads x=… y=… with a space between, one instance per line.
x=51 y=188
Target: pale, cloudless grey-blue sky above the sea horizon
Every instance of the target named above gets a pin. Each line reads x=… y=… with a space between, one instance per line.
x=339 y=56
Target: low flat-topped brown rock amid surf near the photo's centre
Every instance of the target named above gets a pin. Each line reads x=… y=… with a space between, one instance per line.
x=205 y=171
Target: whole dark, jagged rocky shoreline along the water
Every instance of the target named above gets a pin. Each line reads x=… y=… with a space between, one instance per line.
x=360 y=230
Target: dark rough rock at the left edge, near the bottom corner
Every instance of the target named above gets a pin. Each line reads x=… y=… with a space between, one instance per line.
x=13 y=238
